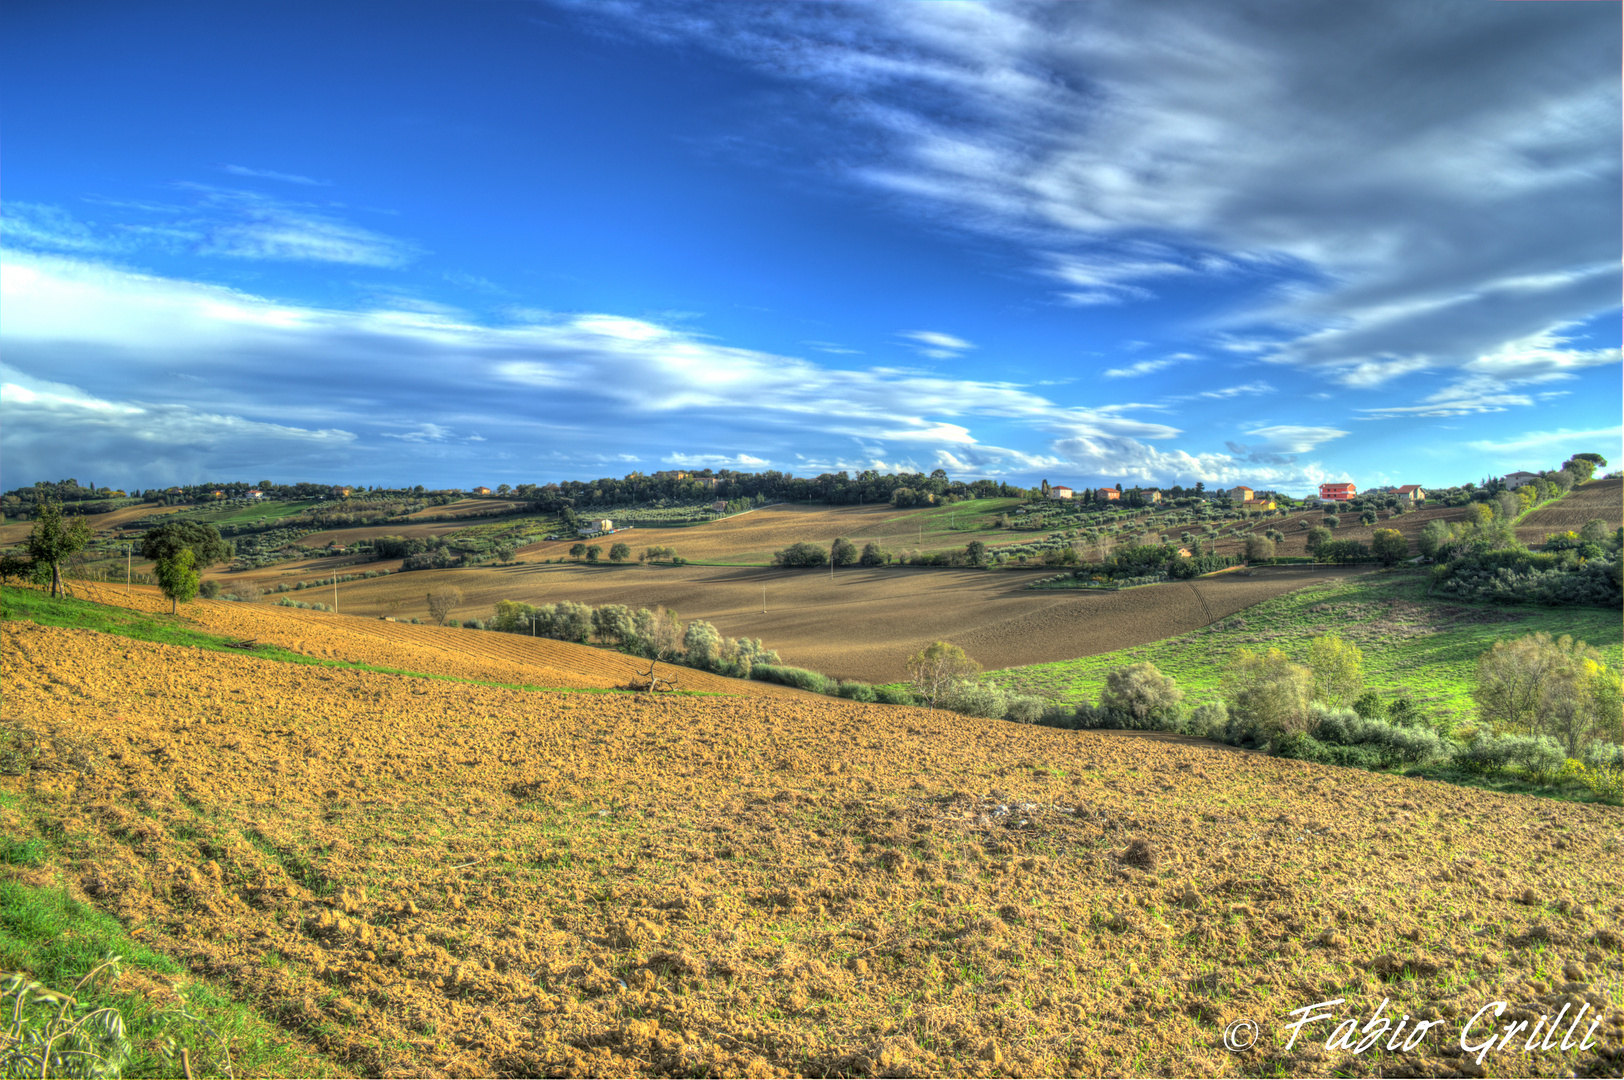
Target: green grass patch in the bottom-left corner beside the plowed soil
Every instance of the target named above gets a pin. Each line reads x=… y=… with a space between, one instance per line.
x=56 y=941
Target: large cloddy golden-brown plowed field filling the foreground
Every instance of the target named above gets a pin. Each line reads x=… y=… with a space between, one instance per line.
x=439 y=879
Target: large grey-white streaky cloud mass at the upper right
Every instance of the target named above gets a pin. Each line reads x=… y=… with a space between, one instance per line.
x=1432 y=202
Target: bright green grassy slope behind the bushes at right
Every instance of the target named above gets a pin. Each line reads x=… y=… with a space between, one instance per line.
x=1410 y=642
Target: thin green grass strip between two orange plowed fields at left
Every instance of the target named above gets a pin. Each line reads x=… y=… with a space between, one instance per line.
x=40 y=608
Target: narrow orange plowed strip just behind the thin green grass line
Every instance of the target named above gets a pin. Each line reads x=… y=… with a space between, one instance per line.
x=428 y=650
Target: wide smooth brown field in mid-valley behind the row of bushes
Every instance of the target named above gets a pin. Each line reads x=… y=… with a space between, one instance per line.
x=860 y=623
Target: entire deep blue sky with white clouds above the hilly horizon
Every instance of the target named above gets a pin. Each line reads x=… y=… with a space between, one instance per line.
x=529 y=241
